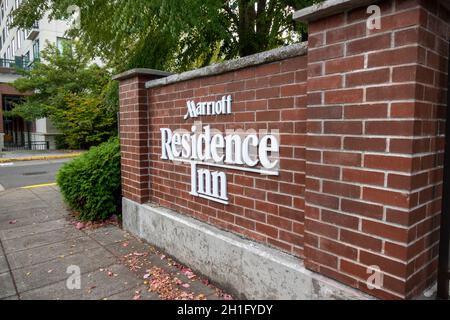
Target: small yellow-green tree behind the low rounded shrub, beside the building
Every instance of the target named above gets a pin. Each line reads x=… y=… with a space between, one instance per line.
x=72 y=92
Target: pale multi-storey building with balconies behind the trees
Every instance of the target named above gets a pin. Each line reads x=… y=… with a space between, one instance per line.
x=20 y=47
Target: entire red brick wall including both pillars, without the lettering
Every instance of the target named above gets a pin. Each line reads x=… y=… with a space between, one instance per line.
x=361 y=119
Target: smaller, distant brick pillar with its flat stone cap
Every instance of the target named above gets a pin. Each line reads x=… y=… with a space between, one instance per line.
x=134 y=132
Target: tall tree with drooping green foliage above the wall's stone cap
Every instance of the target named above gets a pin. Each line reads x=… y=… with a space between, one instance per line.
x=173 y=34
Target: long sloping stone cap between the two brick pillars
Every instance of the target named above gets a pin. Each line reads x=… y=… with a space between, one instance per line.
x=281 y=53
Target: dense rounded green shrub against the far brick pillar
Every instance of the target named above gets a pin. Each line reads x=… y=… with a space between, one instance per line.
x=90 y=184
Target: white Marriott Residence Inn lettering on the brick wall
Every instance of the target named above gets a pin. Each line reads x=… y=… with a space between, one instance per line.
x=203 y=147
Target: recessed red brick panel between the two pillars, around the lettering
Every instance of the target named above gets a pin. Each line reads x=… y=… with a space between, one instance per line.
x=270 y=96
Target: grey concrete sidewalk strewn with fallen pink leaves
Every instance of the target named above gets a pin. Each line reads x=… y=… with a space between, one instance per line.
x=38 y=243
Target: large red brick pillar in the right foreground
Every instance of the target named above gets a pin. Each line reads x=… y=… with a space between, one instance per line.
x=376 y=102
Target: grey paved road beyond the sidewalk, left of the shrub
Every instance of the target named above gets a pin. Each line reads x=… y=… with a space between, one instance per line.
x=26 y=173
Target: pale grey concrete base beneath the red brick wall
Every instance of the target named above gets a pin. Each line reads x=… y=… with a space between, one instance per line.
x=242 y=267
